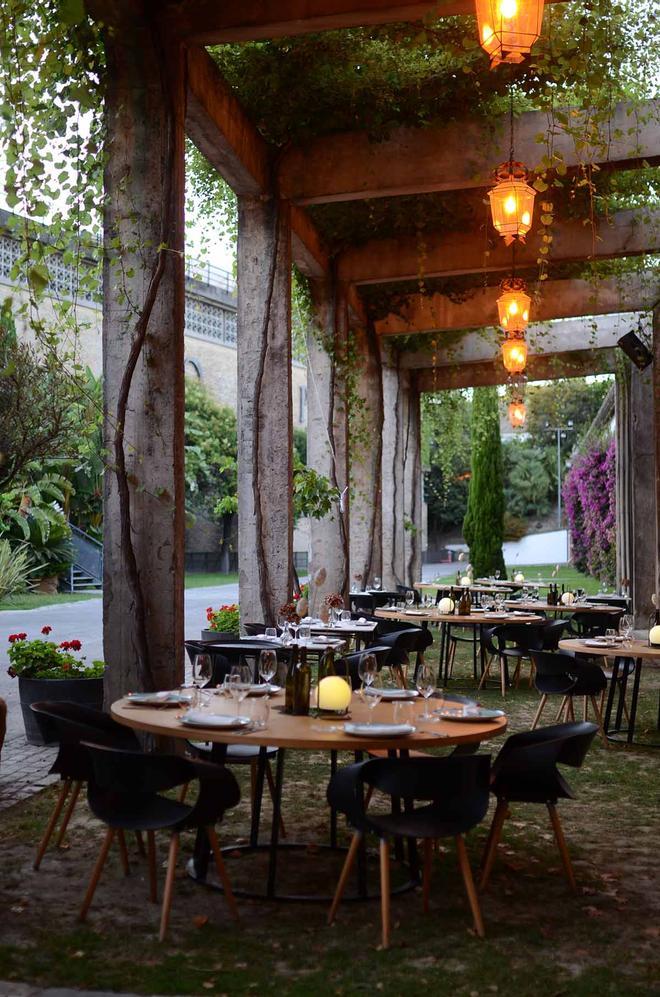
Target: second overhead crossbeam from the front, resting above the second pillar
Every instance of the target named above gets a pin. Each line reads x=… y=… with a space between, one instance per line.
x=459 y=155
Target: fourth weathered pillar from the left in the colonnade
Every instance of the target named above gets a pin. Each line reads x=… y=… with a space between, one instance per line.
x=366 y=459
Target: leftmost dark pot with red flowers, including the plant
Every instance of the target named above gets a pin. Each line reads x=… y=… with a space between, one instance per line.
x=50 y=671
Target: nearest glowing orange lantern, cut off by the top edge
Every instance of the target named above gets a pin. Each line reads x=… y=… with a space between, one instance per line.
x=508 y=28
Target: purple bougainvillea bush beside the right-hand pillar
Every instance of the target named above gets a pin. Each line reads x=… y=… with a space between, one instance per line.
x=590 y=501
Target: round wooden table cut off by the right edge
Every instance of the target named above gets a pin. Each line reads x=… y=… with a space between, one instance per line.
x=640 y=652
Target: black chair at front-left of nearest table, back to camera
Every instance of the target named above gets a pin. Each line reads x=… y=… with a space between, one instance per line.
x=125 y=793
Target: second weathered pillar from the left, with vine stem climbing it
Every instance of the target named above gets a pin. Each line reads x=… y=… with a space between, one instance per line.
x=265 y=519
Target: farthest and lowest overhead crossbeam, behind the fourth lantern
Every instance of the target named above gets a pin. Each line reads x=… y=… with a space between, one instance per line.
x=579 y=363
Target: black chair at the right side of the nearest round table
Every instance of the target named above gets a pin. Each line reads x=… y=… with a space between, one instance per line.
x=525 y=771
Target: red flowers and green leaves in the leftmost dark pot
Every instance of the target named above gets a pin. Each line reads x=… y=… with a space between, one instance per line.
x=44 y=659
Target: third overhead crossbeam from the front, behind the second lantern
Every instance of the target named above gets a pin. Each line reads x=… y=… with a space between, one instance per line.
x=449 y=254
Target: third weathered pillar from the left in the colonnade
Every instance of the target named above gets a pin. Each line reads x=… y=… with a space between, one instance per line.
x=327 y=435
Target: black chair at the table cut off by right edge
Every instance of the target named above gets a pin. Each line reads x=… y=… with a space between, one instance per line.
x=561 y=674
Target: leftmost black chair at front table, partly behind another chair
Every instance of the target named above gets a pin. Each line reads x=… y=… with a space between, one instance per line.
x=72 y=724
